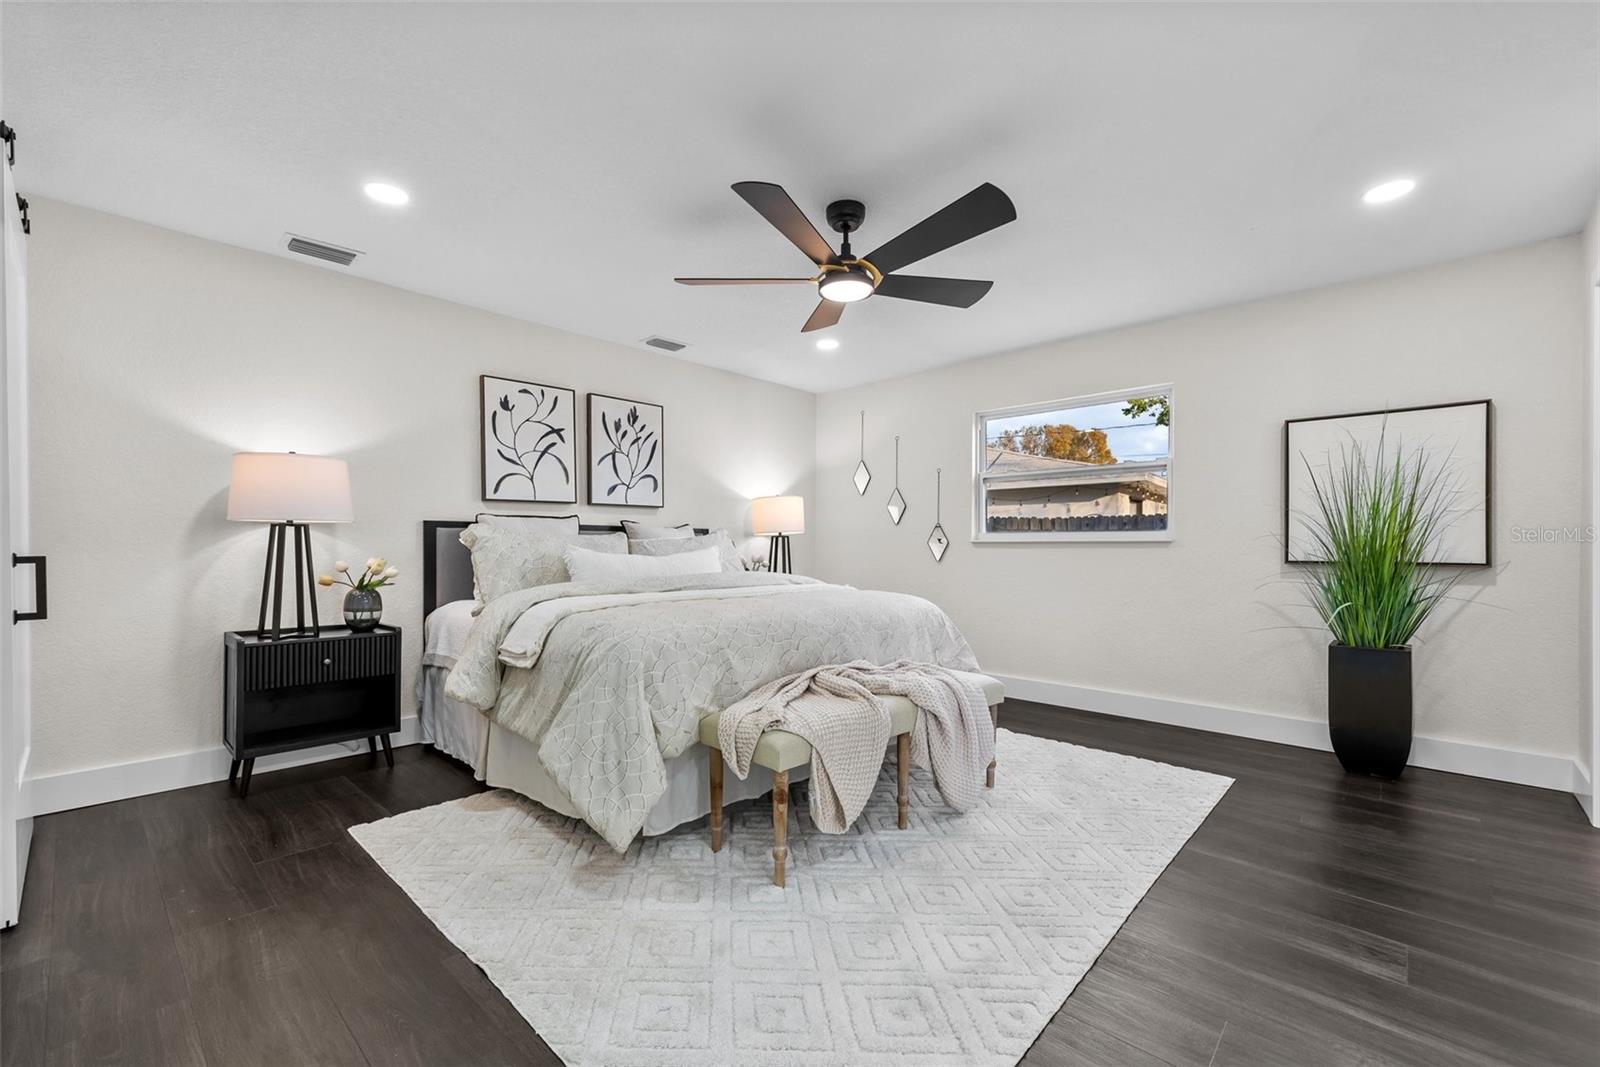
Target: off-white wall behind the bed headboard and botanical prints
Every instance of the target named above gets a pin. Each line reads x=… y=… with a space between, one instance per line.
x=158 y=356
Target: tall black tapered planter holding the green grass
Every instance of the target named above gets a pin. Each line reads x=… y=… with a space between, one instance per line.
x=1370 y=708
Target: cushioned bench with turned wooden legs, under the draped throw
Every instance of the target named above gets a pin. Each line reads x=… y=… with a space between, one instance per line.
x=782 y=751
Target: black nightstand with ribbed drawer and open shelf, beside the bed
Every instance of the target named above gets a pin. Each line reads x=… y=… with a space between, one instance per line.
x=305 y=692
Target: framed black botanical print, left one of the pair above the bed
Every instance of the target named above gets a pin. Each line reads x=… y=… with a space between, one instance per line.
x=530 y=441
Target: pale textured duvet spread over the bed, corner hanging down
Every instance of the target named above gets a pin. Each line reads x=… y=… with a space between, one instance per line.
x=612 y=682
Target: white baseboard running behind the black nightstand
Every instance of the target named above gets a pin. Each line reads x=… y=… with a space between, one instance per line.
x=121 y=781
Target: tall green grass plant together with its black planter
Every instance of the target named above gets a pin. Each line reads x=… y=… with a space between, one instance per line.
x=1375 y=527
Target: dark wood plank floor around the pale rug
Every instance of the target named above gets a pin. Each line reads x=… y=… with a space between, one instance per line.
x=1314 y=919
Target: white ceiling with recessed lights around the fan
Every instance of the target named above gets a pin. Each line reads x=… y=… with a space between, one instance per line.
x=567 y=161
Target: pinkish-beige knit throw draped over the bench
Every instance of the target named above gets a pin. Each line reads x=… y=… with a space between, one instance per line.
x=838 y=714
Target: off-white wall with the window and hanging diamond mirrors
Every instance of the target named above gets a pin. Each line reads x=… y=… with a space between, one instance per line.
x=1214 y=618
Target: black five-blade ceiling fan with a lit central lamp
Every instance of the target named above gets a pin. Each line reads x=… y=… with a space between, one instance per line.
x=846 y=278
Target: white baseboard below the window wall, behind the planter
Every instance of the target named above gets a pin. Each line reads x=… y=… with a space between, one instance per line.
x=1505 y=765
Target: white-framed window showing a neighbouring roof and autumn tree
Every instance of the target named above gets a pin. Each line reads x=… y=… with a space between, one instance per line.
x=1084 y=470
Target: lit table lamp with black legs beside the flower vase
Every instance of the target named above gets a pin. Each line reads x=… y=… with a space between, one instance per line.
x=289 y=490
